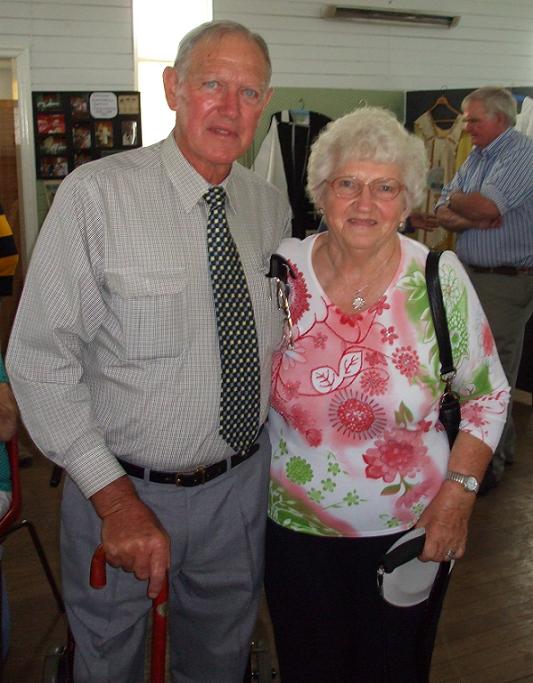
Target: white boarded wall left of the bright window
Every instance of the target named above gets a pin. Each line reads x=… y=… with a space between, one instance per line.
x=73 y=44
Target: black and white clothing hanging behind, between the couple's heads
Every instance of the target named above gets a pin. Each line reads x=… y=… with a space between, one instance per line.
x=282 y=160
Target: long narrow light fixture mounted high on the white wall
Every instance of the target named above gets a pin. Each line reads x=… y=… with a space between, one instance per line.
x=375 y=15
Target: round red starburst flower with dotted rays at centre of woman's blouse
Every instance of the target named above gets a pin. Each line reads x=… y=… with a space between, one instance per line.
x=355 y=415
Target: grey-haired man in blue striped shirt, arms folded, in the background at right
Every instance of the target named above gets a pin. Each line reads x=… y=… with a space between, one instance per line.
x=489 y=204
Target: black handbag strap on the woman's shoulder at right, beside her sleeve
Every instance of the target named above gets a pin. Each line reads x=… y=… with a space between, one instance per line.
x=449 y=408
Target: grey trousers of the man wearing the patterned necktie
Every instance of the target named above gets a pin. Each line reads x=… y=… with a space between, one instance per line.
x=217 y=534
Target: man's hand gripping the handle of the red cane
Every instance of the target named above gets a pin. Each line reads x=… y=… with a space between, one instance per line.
x=132 y=536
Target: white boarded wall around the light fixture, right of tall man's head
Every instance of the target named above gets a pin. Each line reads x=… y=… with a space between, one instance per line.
x=492 y=44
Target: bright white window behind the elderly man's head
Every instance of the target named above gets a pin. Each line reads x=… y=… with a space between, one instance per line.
x=158 y=26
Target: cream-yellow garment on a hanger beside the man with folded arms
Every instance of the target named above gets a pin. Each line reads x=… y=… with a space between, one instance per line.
x=441 y=146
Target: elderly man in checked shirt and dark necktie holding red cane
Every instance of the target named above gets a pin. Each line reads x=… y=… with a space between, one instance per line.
x=141 y=359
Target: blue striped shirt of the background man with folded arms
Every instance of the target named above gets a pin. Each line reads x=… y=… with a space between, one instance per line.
x=502 y=172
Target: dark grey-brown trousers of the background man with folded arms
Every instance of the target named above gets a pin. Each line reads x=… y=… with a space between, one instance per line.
x=508 y=304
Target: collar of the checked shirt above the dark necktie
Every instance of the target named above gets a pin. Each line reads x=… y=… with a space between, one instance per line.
x=190 y=184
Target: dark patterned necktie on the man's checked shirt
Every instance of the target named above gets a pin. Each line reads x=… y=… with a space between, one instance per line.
x=237 y=337
